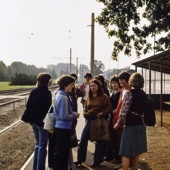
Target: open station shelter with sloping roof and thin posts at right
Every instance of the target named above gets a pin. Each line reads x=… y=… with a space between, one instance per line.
x=156 y=72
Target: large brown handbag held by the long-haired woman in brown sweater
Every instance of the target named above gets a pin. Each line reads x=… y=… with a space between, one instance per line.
x=99 y=130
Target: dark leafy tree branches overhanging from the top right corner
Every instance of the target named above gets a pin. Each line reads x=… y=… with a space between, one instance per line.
x=122 y=19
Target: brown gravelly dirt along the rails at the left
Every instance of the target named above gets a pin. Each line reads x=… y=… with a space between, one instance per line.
x=16 y=145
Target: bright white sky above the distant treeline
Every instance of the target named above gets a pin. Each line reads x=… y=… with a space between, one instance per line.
x=41 y=32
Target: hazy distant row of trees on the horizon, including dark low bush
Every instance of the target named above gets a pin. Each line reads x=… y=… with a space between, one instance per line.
x=19 y=73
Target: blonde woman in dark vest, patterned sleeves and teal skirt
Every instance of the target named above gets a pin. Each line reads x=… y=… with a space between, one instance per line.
x=133 y=141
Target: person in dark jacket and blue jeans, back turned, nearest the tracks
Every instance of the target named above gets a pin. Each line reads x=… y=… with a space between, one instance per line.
x=37 y=106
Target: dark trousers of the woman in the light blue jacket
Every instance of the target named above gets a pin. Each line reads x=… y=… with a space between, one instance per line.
x=62 y=146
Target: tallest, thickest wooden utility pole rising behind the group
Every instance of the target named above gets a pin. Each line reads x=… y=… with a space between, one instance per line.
x=92 y=45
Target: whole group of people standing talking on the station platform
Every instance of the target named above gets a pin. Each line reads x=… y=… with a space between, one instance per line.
x=124 y=109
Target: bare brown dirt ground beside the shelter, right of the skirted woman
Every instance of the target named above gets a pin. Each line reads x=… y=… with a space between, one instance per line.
x=158 y=155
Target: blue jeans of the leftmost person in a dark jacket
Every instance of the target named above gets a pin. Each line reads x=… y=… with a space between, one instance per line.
x=40 y=151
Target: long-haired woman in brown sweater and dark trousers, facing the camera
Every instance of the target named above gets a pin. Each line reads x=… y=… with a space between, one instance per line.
x=96 y=105
